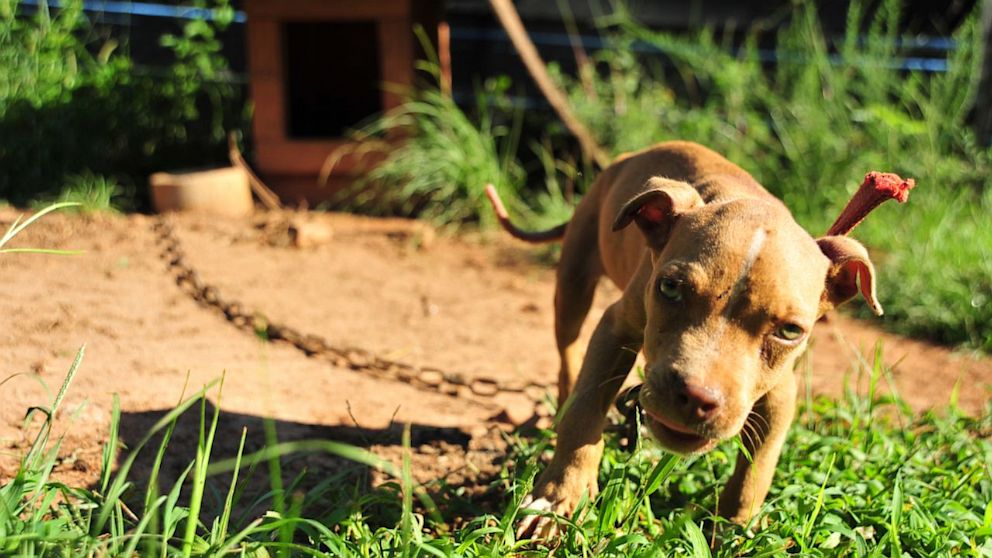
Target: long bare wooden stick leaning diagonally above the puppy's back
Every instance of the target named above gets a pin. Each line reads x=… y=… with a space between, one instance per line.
x=510 y=21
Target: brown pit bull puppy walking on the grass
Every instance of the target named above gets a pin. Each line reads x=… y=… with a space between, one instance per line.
x=721 y=288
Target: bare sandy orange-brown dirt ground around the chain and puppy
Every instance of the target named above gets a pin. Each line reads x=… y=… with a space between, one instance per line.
x=480 y=305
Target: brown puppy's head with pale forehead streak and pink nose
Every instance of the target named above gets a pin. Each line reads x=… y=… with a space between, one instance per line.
x=734 y=292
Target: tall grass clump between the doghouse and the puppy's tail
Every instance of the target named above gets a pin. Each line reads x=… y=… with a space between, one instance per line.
x=449 y=154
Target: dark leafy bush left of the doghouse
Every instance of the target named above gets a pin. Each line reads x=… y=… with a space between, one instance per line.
x=70 y=104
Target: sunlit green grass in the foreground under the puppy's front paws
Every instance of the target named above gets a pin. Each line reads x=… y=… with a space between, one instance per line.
x=859 y=477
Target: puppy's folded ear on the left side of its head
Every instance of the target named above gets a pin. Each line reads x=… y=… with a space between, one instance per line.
x=657 y=207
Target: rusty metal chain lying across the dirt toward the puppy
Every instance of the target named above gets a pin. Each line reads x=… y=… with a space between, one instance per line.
x=434 y=380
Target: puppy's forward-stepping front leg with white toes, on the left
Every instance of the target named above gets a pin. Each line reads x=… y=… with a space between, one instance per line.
x=574 y=468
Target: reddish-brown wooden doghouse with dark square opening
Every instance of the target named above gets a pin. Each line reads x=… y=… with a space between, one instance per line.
x=317 y=68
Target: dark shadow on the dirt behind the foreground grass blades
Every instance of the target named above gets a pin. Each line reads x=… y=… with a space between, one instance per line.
x=456 y=469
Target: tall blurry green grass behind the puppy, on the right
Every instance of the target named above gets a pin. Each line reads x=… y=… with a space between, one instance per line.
x=812 y=126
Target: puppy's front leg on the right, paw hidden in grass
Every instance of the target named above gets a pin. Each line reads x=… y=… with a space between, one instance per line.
x=763 y=436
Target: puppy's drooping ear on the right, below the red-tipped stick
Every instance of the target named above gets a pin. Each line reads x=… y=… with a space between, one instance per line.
x=849 y=262
